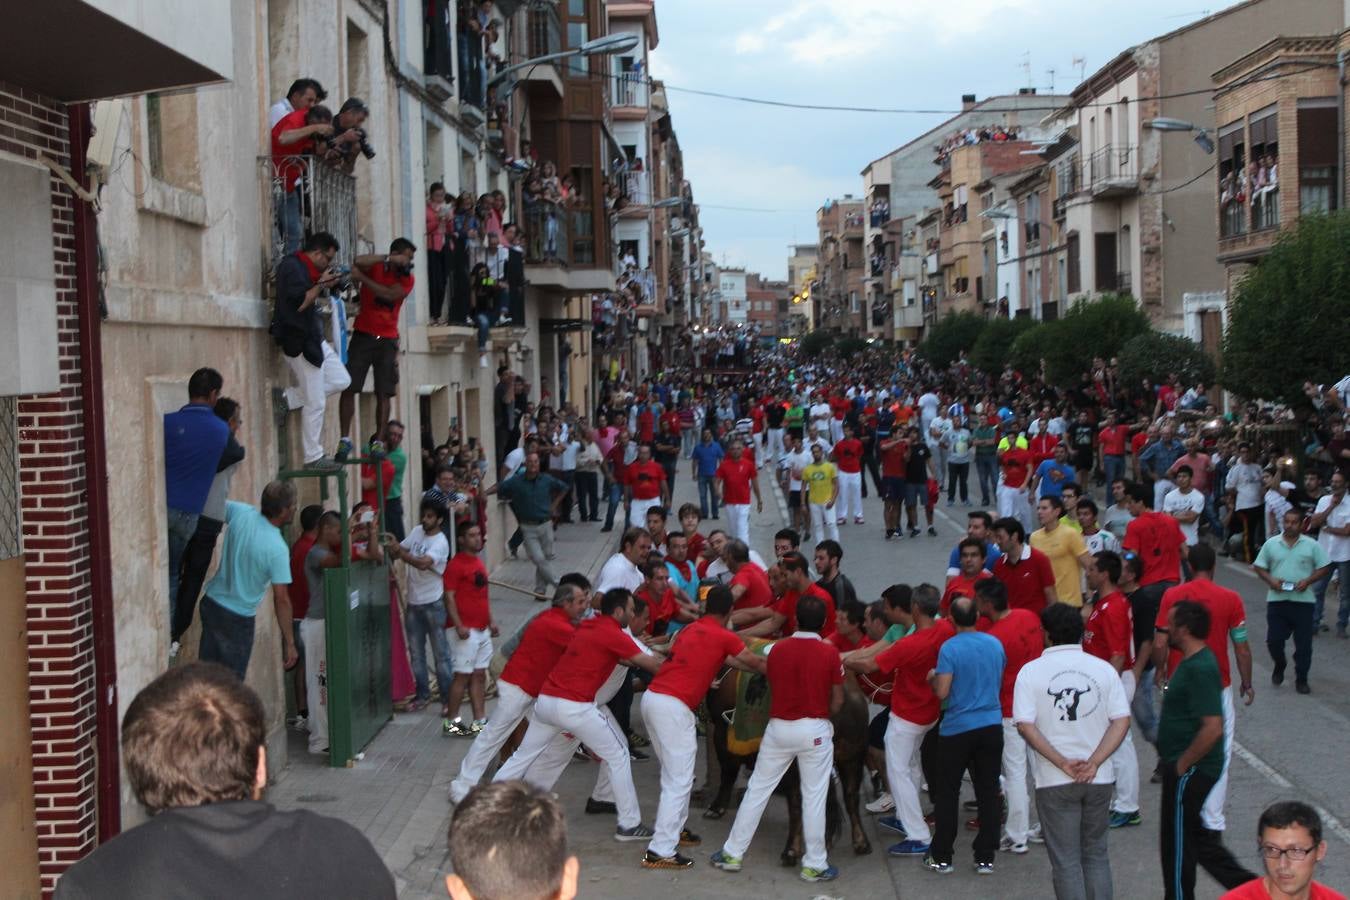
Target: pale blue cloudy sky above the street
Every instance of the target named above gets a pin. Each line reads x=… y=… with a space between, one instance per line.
x=759 y=173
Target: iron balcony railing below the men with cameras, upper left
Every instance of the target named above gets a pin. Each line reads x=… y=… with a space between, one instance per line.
x=327 y=203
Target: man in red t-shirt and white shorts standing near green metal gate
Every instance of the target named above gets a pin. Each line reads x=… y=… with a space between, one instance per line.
x=472 y=631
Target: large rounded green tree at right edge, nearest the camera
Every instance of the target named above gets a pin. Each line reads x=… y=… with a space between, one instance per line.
x=1290 y=319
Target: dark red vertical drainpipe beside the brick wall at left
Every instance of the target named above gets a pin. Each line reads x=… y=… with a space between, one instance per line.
x=97 y=489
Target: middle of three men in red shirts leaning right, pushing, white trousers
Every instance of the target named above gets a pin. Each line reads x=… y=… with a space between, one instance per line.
x=568 y=704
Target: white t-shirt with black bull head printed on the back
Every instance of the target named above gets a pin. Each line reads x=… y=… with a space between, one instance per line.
x=1071 y=698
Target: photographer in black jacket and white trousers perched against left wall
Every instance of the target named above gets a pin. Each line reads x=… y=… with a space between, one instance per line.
x=303 y=279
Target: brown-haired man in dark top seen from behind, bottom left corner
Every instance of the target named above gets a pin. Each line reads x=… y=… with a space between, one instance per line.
x=211 y=832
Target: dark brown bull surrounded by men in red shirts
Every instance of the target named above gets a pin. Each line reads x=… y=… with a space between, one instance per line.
x=850 y=754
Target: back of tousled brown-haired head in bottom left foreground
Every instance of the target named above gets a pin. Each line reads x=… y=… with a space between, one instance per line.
x=194 y=737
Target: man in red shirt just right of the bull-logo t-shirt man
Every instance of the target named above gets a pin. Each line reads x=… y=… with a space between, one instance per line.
x=1109 y=635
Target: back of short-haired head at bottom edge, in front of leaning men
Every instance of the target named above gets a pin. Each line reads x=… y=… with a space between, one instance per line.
x=508 y=841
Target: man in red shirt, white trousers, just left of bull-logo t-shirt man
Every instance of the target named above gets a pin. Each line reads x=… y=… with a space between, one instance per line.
x=1023 y=639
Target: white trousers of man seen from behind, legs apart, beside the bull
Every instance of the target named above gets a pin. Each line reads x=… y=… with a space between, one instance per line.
x=812 y=744
